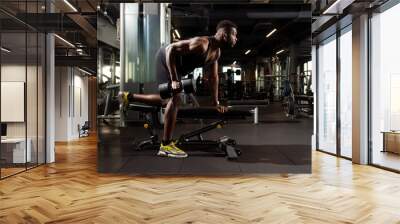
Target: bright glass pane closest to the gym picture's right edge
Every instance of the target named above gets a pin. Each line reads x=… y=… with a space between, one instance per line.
x=327 y=96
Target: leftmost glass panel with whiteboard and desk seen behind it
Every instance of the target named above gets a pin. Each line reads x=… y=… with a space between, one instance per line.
x=13 y=86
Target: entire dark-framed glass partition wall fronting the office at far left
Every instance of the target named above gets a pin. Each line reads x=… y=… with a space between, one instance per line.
x=22 y=77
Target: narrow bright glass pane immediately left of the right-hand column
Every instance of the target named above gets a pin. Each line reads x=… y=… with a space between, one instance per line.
x=346 y=94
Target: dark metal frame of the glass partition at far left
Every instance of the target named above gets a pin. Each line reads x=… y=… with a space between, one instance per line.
x=43 y=116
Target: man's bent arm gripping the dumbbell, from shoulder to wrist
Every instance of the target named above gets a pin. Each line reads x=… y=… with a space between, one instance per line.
x=181 y=48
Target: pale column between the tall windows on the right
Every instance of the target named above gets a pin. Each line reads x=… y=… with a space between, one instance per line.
x=360 y=90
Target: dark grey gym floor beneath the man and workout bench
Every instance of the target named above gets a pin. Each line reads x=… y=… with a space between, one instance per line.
x=276 y=145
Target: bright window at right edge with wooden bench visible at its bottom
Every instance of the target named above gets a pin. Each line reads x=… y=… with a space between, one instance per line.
x=385 y=84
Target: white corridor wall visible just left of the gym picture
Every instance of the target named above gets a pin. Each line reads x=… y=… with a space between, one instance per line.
x=71 y=103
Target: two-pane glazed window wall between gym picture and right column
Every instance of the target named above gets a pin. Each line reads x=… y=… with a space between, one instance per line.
x=334 y=77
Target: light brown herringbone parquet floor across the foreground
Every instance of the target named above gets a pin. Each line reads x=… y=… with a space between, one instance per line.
x=71 y=191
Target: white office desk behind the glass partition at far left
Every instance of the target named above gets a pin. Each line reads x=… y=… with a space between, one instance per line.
x=13 y=150
